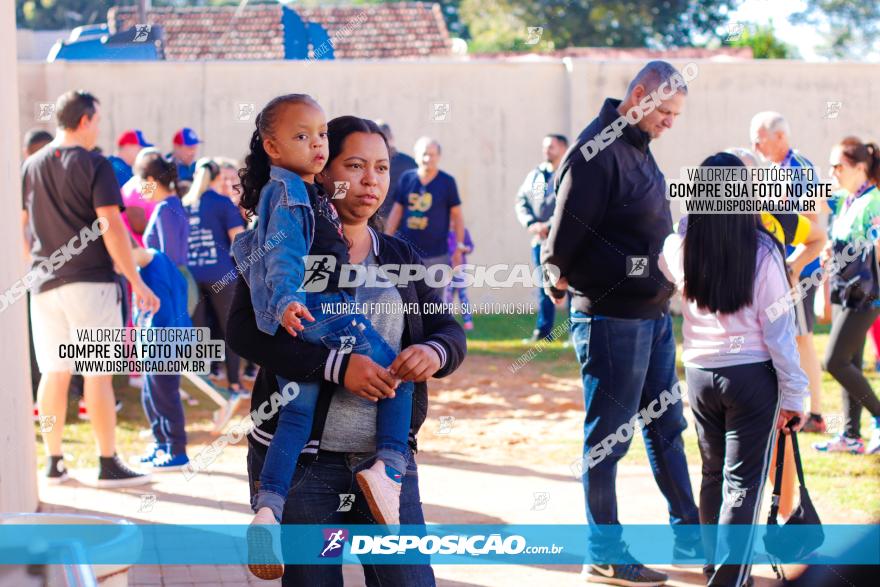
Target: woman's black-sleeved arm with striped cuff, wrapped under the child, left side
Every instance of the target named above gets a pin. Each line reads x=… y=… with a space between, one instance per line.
x=294 y=359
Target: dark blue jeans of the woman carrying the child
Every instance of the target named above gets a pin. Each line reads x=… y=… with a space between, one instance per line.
x=314 y=499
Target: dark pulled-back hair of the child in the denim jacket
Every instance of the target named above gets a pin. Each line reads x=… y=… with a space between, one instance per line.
x=255 y=173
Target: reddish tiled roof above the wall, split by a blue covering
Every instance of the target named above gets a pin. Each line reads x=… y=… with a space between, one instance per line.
x=406 y=29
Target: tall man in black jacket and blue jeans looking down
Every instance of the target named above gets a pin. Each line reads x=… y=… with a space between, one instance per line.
x=610 y=222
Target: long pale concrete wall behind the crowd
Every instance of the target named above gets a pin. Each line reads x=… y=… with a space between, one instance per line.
x=499 y=111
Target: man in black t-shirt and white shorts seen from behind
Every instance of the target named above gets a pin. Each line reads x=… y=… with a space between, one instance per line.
x=71 y=205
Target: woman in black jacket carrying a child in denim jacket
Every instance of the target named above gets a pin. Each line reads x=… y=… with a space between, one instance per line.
x=361 y=393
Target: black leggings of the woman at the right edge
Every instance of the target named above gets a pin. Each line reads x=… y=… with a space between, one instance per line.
x=843 y=360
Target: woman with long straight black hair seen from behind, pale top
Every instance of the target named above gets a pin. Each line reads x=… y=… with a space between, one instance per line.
x=743 y=375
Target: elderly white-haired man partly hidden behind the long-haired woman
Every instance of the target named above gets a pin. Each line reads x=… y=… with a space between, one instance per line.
x=771 y=135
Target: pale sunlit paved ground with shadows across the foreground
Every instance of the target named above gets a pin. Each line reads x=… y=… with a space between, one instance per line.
x=506 y=495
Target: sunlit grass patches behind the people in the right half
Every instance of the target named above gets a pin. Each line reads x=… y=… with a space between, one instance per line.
x=848 y=483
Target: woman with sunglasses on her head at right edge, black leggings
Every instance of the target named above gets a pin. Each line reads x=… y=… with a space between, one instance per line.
x=855 y=237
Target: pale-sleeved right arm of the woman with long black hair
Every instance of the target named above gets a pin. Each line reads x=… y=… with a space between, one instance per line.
x=771 y=286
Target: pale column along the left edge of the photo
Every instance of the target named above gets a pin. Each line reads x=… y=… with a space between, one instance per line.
x=18 y=460
